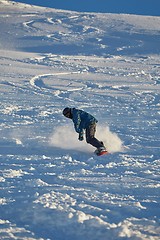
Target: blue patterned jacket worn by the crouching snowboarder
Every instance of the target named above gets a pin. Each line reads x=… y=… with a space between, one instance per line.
x=82 y=119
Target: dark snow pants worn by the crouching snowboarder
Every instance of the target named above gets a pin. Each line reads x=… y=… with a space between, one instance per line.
x=90 y=136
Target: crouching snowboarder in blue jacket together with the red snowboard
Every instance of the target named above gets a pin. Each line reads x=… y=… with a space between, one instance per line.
x=84 y=121
